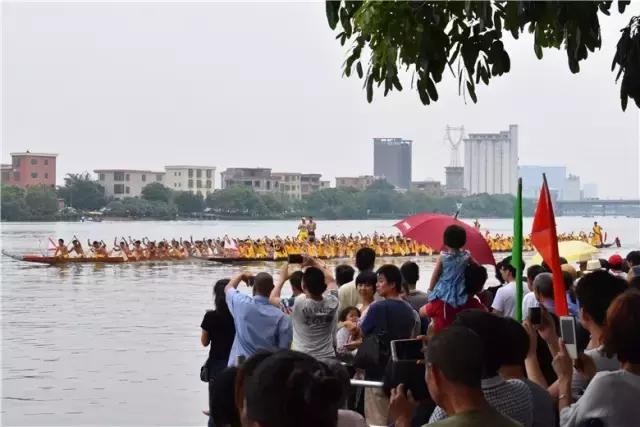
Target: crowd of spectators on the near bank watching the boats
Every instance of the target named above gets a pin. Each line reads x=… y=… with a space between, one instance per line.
x=288 y=361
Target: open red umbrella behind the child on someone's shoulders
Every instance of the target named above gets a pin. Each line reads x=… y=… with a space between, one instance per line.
x=429 y=229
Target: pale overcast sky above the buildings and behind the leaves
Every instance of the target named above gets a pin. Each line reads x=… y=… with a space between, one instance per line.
x=260 y=84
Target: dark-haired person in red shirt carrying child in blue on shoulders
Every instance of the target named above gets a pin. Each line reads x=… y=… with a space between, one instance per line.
x=442 y=314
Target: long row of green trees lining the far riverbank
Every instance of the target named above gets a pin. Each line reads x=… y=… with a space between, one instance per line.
x=380 y=200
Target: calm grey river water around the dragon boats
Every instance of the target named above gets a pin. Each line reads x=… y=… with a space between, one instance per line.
x=119 y=344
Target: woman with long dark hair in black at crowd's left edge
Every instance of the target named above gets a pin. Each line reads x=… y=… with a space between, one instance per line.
x=219 y=331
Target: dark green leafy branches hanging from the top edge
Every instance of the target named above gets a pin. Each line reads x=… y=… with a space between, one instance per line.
x=428 y=37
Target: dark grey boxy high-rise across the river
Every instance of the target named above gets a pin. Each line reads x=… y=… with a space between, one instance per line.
x=392 y=160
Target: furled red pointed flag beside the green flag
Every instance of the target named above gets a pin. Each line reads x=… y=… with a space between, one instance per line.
x=545 y=240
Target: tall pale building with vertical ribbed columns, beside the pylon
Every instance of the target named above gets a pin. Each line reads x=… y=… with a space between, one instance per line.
x=491 y=162
